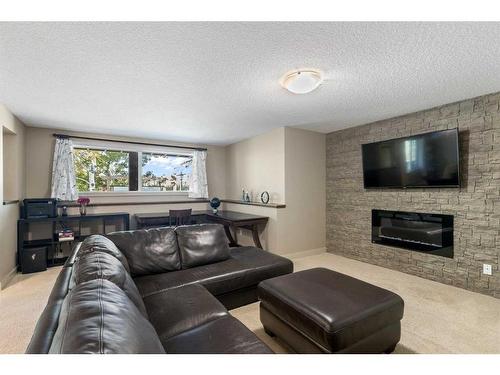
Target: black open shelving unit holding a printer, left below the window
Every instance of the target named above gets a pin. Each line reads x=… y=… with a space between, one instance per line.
x=55 y=251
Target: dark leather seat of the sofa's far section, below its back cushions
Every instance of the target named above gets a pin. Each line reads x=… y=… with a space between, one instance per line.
x=246 y=267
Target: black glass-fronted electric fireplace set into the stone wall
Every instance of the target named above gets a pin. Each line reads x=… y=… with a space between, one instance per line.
x=428 y=233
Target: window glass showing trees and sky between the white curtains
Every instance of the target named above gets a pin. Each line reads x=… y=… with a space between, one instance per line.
x=105 y=170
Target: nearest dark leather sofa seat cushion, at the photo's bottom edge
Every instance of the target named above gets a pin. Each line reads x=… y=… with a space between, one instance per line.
x=225 y=335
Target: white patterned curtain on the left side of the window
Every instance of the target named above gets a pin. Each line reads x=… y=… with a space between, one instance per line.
x=63 y=173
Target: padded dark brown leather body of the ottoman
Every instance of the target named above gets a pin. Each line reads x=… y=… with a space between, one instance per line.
x=332 y=309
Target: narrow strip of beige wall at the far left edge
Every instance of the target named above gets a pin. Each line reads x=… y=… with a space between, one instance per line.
x=12 y=187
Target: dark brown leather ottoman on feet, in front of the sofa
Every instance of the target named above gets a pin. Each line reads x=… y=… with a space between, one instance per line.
x=322 y=311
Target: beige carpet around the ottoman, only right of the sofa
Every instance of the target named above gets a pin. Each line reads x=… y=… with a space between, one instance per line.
x=438 y=318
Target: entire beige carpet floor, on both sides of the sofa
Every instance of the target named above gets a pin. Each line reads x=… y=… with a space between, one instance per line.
x=438 y=318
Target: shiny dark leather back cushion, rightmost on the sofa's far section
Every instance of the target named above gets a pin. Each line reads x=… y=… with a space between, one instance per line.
x=202 y=244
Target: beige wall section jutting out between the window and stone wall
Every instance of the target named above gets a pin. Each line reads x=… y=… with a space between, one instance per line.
x=290 y=164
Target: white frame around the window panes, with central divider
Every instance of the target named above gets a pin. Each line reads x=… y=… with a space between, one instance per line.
x=113 y=146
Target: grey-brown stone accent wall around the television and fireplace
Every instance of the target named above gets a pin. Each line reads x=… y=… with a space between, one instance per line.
x=476 y=205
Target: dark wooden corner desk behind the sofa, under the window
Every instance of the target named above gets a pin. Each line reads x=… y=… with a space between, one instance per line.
x=230 y=219
